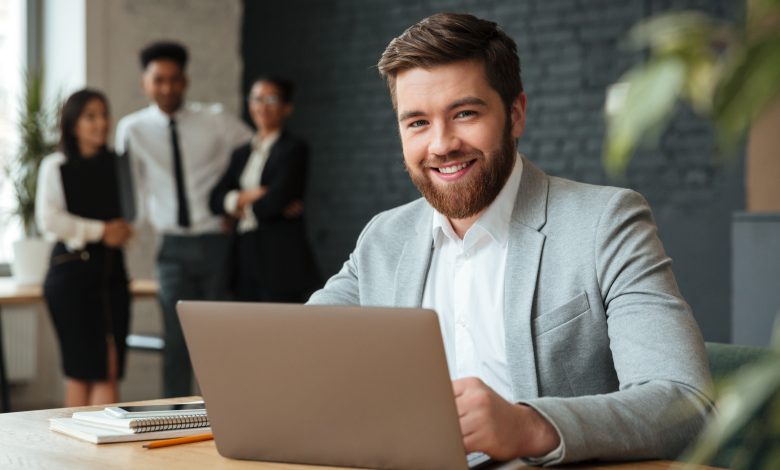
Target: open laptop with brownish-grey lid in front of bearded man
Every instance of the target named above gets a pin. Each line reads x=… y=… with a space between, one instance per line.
x=340 y=386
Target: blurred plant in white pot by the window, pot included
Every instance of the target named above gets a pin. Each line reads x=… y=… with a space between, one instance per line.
x=36 y=125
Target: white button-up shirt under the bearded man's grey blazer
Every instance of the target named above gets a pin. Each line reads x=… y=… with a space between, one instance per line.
x=465 y=286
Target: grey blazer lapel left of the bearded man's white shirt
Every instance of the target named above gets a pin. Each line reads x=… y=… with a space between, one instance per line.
x=413 y=265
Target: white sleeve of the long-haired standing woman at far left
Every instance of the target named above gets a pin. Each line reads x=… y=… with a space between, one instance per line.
x=51 y=213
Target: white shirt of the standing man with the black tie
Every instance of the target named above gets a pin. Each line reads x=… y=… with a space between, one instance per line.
x=207 y=136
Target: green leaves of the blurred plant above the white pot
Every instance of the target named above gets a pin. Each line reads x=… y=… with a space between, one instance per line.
x=37 y=124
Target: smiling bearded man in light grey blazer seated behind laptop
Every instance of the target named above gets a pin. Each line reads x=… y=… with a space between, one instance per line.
x=566 y=336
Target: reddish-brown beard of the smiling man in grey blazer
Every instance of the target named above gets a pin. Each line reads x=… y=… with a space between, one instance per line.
x=462 y=199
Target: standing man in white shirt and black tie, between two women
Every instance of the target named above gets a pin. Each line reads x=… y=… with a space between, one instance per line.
x=178 y=151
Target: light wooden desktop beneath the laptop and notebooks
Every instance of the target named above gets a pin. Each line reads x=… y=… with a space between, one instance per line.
x=27 y=442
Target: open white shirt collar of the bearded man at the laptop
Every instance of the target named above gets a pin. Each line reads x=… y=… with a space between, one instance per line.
x=494 y=221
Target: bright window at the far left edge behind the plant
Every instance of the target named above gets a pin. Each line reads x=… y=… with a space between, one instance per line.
x=12 y=56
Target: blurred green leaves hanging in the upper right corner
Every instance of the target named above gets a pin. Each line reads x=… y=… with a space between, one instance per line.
x=728 y=73
